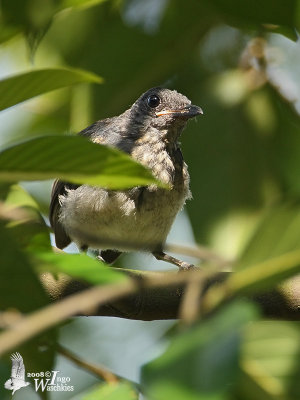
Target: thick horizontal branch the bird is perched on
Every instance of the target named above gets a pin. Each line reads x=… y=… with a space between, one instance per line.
x=160 y=295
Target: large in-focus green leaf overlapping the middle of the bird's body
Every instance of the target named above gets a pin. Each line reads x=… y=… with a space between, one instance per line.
x=74 y=159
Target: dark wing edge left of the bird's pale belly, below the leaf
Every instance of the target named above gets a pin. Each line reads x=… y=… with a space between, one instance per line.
x=59 y=188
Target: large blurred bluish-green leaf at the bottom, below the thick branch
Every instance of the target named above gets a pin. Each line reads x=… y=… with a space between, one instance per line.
x=201 y=363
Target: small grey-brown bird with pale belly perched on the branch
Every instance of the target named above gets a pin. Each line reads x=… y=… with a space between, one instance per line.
x=141 y=217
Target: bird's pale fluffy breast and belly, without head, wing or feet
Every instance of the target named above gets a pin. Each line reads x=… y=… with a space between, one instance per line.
x=140 y=217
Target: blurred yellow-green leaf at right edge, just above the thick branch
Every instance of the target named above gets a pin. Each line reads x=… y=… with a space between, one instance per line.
x=272 y=255
